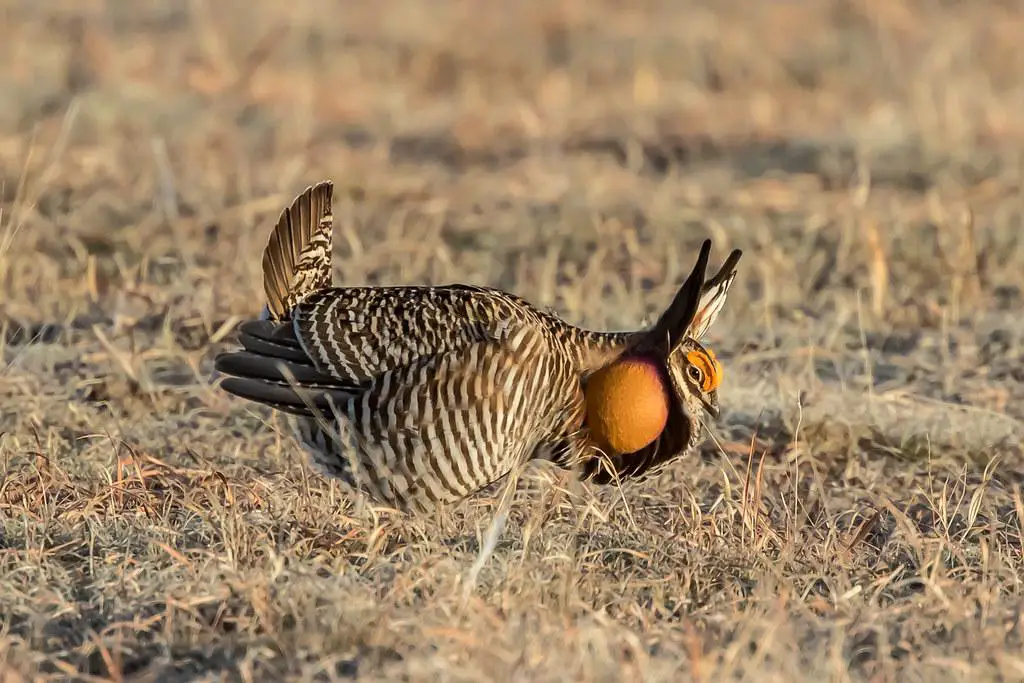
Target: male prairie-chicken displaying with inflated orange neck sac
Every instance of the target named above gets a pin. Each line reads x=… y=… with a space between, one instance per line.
x=422 y=396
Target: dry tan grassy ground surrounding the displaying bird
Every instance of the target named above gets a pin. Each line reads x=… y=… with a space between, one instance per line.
x=858 y=516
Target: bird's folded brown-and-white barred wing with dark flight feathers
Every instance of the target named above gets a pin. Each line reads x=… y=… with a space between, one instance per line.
x=337 y=341
